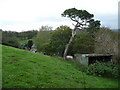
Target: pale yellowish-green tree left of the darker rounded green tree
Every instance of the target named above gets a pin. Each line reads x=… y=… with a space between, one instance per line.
x=43 y=37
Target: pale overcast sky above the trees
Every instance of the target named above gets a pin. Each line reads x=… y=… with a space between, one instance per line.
x=23 y=15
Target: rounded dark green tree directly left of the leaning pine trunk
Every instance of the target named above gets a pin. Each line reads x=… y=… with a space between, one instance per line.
x=59 y=39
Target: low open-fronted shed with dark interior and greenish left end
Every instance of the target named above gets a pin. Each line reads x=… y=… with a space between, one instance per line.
x=88 y=59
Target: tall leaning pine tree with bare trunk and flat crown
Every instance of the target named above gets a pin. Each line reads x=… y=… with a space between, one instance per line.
x=83 y=19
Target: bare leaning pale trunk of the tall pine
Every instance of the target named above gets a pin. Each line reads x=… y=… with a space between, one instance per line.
x=67 y=46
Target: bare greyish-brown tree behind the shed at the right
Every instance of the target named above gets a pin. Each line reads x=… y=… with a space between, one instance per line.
x=106 y=42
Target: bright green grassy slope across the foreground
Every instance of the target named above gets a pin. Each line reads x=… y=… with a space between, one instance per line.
x=30 y=70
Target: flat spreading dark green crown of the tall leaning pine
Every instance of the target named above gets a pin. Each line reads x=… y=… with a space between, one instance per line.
x=82 y=18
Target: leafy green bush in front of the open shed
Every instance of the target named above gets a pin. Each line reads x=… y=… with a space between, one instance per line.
x=103 y=69
